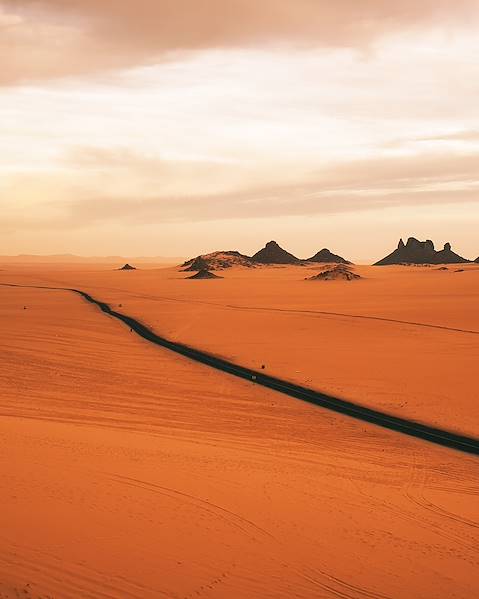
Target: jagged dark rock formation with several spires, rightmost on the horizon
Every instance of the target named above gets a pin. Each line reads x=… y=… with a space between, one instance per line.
x=421 y=252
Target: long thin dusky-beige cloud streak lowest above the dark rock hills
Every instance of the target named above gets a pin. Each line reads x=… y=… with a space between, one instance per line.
x=266 y=204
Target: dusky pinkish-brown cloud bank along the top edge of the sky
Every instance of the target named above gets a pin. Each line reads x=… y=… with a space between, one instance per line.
x=52 y=38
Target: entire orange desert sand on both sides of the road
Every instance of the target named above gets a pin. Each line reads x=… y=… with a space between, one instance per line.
x=128 y=471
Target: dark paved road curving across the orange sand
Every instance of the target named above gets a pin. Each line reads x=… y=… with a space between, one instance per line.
x=395 y=423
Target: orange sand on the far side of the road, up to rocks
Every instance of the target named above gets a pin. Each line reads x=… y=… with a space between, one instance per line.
x=308 y=331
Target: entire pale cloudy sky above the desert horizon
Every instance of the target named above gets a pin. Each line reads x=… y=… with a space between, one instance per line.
x=179 y=127
